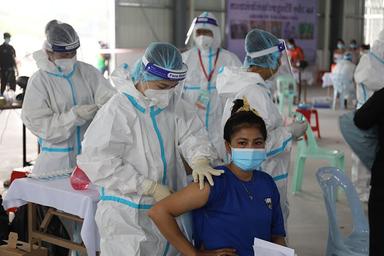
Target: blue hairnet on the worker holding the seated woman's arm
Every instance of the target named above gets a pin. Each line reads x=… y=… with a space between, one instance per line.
x=164 y=55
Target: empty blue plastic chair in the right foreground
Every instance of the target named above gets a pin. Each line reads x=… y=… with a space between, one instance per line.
x=356 y=243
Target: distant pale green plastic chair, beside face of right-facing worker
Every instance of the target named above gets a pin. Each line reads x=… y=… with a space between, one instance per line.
x=286 y=91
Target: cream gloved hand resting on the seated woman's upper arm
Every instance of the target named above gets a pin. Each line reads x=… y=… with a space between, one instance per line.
x=201 y=168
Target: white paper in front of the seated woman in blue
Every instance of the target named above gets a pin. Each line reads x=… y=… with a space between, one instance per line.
x=265 y=248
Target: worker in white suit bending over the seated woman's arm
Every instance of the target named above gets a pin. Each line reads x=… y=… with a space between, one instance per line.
x=131 y=150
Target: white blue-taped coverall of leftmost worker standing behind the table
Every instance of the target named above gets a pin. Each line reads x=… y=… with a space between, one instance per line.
x=49 y=110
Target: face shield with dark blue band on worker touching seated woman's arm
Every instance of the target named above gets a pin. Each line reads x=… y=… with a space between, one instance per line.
x=174 y=78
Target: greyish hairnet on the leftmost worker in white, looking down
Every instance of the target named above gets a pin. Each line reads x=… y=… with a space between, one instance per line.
x=61 y=35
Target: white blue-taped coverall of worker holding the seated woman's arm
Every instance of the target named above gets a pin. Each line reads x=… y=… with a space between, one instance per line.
x=130 y=141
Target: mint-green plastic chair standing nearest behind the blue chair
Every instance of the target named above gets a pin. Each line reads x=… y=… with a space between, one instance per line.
x=309 y=149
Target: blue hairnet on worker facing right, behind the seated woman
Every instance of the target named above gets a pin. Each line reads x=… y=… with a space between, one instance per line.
x=258 y=40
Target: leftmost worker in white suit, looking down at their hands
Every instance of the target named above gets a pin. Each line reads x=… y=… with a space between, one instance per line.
x=61 y=99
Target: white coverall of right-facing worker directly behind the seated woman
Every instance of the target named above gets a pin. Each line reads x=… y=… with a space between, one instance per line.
x=235 y=83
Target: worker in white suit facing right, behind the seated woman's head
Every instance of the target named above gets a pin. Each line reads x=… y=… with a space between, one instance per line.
x=264 y=51
